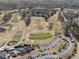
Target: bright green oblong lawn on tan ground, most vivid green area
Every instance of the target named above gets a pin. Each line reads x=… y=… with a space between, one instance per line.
x=40 y=36
